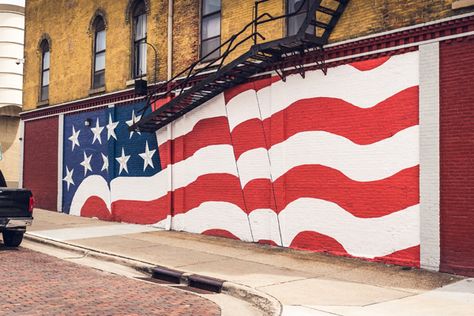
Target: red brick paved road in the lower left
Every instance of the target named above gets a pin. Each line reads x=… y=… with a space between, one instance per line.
x=35 y=284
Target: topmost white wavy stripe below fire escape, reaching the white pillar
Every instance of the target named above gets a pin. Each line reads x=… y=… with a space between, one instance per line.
x=363 y=89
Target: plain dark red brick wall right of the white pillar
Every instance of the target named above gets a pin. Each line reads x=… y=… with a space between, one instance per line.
x=457 y=156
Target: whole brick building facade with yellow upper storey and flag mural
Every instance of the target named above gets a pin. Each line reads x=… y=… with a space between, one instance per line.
x=368 y=159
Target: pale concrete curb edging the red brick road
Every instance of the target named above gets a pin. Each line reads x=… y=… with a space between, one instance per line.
x=268 y=304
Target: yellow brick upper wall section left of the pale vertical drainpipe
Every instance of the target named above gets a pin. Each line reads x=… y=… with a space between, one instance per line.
x=71 y=47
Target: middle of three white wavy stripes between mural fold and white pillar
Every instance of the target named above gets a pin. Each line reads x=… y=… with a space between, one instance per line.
x=359 y=162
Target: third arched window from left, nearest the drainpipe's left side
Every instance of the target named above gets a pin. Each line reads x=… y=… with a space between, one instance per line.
x=139 y=40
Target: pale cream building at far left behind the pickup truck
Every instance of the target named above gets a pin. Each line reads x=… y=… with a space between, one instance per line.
x=12 y=22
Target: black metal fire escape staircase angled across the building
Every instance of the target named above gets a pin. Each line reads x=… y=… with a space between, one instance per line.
x=187 y=91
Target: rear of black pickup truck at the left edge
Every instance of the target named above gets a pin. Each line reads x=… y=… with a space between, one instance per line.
x=16 y=212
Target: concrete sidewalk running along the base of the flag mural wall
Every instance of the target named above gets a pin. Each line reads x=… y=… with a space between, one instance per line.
x=303 y=283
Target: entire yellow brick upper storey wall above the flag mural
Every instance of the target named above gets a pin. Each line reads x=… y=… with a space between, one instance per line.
x=68 y=25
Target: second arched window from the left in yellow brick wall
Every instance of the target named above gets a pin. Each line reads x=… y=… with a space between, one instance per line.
x=98 y=78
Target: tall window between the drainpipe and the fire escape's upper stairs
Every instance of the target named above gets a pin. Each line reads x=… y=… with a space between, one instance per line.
x=210 y=29
